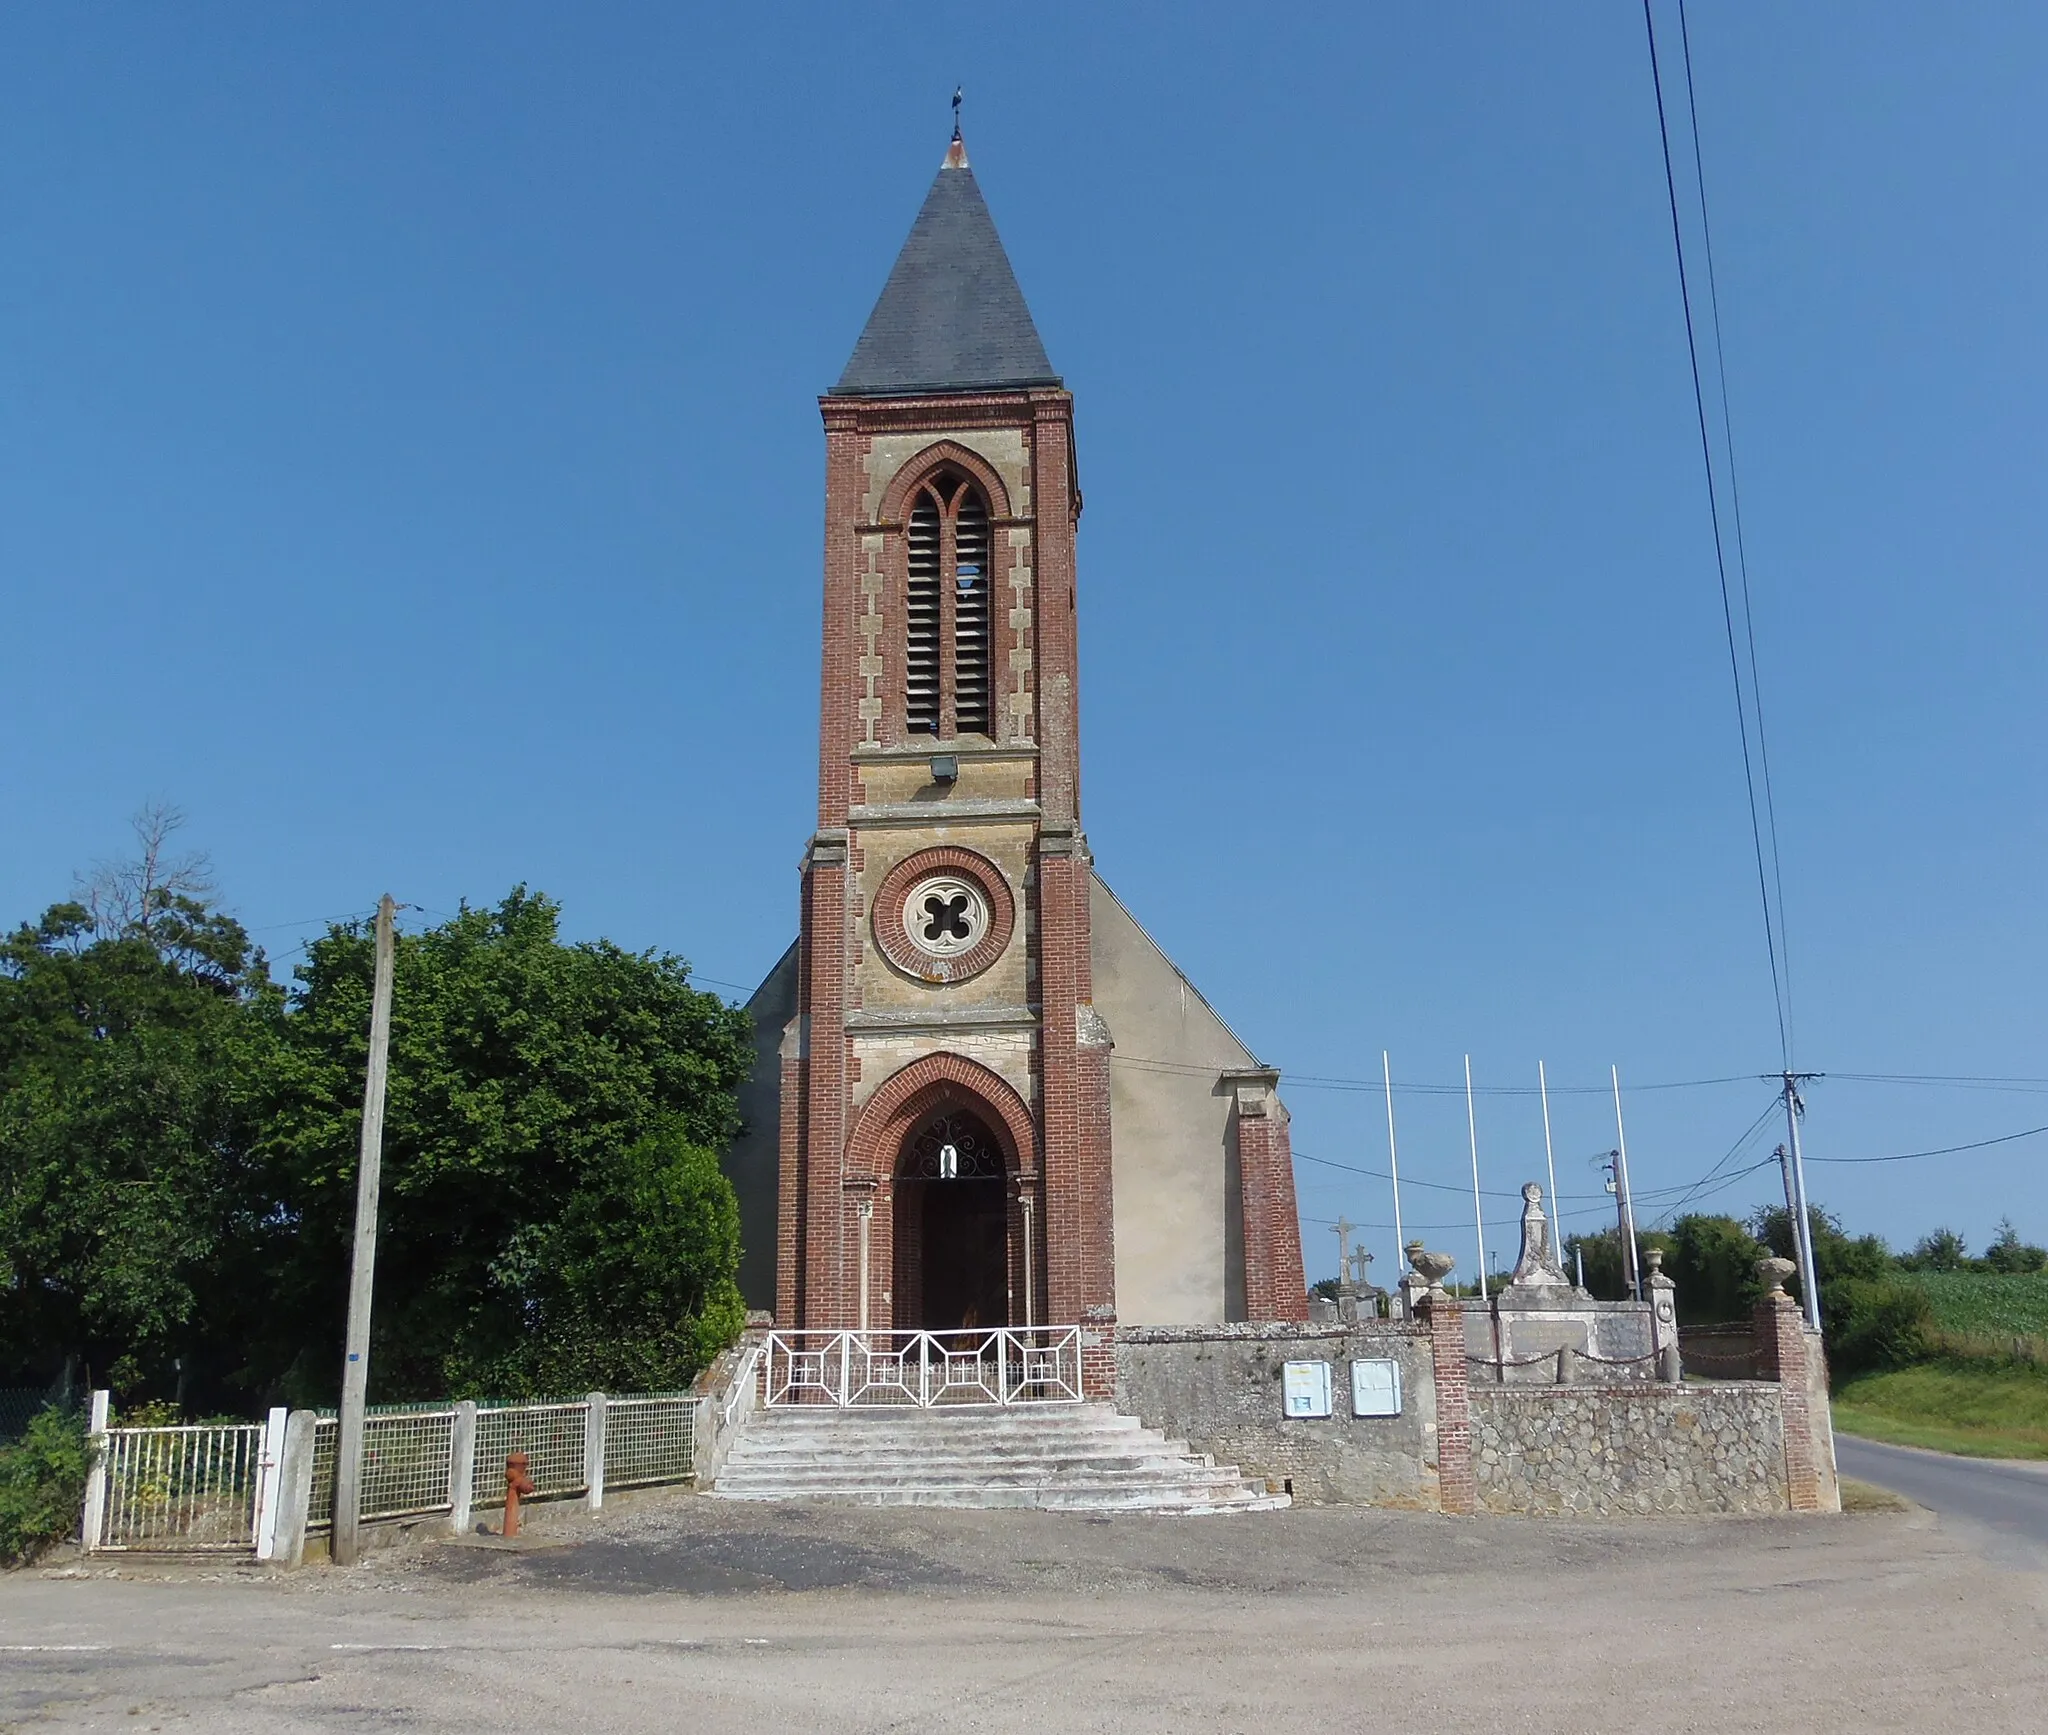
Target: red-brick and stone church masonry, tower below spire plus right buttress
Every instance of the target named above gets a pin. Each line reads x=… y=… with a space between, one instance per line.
x=888 y=1040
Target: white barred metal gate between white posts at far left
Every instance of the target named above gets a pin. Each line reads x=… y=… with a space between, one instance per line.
x=204 y=1488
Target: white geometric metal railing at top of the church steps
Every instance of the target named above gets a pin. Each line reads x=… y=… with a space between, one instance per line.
x=925 y=1369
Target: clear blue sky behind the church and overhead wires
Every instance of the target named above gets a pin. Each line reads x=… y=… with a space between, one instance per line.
x=411 y=466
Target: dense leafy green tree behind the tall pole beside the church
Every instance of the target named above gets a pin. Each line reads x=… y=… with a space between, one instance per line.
x=550 y=1107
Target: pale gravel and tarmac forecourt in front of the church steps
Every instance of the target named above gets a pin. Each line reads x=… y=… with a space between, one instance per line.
x=685 y=1613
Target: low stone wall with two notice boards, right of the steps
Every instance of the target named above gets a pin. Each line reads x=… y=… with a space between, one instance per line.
x=1218 y=1388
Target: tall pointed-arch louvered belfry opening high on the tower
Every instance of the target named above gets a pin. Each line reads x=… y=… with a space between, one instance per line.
x=949 y=603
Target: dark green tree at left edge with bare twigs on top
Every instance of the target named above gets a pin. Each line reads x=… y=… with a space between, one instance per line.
x=126 y=1029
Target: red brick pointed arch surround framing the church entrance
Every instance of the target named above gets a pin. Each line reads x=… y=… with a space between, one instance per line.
x=904 y=1101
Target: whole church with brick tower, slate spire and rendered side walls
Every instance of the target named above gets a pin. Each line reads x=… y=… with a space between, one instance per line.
x=982 y=1093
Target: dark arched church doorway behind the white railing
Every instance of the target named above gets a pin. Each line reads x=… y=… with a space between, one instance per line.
x=951 y=1228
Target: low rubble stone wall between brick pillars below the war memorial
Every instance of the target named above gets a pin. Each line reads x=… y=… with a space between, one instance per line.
x=1629 y=1449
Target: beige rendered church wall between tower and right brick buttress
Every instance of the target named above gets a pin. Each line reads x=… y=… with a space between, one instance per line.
x=1181 y=1255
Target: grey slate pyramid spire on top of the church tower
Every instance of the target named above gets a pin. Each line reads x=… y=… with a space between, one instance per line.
x=951 y=316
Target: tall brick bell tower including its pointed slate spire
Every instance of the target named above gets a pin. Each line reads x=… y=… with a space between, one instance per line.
x=945 y=1117
